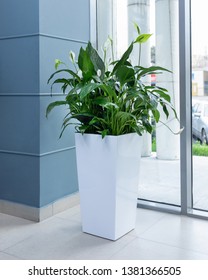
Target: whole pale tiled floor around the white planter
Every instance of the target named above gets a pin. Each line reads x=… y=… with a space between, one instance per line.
x=157 y=236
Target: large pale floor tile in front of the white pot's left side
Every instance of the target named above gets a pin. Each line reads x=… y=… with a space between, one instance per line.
x=67 y=242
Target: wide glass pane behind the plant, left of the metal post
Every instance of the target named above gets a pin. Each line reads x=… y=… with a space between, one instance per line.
x=160 y=163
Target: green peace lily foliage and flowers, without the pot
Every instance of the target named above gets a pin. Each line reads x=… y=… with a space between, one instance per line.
x=110 y=98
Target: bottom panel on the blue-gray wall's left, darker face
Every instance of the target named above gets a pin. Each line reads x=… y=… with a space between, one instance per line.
x=19 y=181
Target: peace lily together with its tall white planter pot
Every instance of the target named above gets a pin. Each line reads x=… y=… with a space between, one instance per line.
x=110 y=100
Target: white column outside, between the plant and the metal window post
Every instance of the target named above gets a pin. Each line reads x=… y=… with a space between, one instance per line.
x=167 y=55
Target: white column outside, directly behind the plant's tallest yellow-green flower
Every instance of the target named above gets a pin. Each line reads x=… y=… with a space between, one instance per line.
x=139 y=12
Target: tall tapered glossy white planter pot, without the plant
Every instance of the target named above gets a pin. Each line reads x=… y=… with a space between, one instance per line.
x=108 y=174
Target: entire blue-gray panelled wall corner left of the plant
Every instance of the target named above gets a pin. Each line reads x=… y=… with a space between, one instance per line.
x=36 y=167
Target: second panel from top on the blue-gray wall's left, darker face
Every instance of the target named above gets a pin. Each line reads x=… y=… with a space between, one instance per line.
x=19 y=67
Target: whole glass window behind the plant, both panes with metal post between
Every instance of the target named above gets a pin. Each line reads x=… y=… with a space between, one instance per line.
x=169 y=175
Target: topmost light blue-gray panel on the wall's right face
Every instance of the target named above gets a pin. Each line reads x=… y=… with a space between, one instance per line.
x=66 y=18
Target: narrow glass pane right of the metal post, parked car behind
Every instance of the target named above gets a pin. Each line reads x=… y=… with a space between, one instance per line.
x=200 y=103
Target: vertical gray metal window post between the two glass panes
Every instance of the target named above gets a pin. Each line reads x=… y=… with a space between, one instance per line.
x=185 y=105
